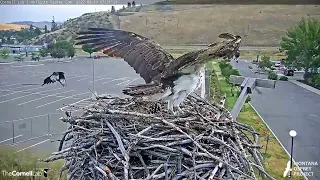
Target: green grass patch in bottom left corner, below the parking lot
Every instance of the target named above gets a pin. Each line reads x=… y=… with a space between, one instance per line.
x=26 y=161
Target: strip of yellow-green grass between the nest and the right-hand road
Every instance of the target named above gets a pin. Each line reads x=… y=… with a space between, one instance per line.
x=276 y=157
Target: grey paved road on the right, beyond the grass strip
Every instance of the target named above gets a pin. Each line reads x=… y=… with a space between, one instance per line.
x=290 y=107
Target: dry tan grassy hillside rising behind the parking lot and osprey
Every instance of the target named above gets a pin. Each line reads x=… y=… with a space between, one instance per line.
x=261 y=25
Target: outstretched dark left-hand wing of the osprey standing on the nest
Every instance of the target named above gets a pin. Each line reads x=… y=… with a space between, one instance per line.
x=146 y=57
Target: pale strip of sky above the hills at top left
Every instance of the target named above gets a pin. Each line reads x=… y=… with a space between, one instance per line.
x=11 y=13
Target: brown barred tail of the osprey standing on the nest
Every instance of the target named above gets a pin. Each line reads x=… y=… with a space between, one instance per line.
x=147 y=91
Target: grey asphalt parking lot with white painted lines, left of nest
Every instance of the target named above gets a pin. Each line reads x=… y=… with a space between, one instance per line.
x=36 y=109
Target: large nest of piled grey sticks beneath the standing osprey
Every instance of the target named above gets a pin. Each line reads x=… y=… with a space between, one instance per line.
x=124 y=138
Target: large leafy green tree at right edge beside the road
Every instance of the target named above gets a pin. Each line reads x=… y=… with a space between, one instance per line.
x=300 y=45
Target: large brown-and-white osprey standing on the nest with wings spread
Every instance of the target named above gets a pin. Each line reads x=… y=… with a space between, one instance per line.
x=166 y=78
